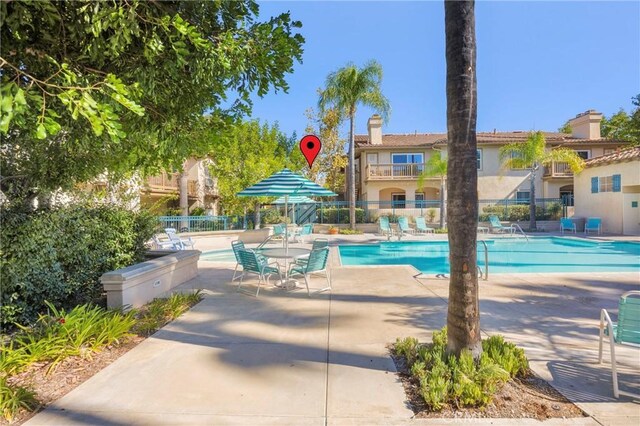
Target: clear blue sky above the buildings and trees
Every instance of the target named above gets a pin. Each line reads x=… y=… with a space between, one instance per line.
x=539 y=63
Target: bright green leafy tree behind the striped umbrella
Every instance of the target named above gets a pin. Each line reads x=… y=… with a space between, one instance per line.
x=244 y=155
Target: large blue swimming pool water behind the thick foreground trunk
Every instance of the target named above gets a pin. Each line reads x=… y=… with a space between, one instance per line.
x=540 y=254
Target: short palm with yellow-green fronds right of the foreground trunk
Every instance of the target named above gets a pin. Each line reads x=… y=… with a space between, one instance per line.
x=531 y=155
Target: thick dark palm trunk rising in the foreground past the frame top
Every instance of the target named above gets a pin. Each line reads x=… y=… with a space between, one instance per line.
x=463 y=316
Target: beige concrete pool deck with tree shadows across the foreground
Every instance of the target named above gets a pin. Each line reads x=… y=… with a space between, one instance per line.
x=284 y=358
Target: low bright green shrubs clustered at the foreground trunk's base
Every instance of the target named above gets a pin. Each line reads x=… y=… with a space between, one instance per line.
x=445 y=379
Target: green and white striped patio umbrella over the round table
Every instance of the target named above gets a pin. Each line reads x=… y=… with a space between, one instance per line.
x=288 y=184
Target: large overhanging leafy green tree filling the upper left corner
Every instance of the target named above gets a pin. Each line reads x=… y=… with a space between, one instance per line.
x=89 y=86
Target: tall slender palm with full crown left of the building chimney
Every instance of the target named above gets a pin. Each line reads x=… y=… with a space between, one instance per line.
x=345 y=89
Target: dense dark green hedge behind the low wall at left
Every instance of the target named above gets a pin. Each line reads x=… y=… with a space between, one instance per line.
x=59 y=255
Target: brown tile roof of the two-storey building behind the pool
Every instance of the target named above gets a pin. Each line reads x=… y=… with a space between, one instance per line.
x=483 y=138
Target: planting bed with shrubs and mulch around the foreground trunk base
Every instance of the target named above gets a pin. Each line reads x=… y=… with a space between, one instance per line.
x=500 y=385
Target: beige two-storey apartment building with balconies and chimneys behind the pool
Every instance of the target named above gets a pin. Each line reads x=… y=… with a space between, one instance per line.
x=388 y=165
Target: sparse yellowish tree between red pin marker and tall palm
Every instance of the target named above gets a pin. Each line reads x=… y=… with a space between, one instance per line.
x=331 y=161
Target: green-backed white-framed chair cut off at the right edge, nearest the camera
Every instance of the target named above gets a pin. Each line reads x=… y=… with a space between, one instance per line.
x=625 y=332
